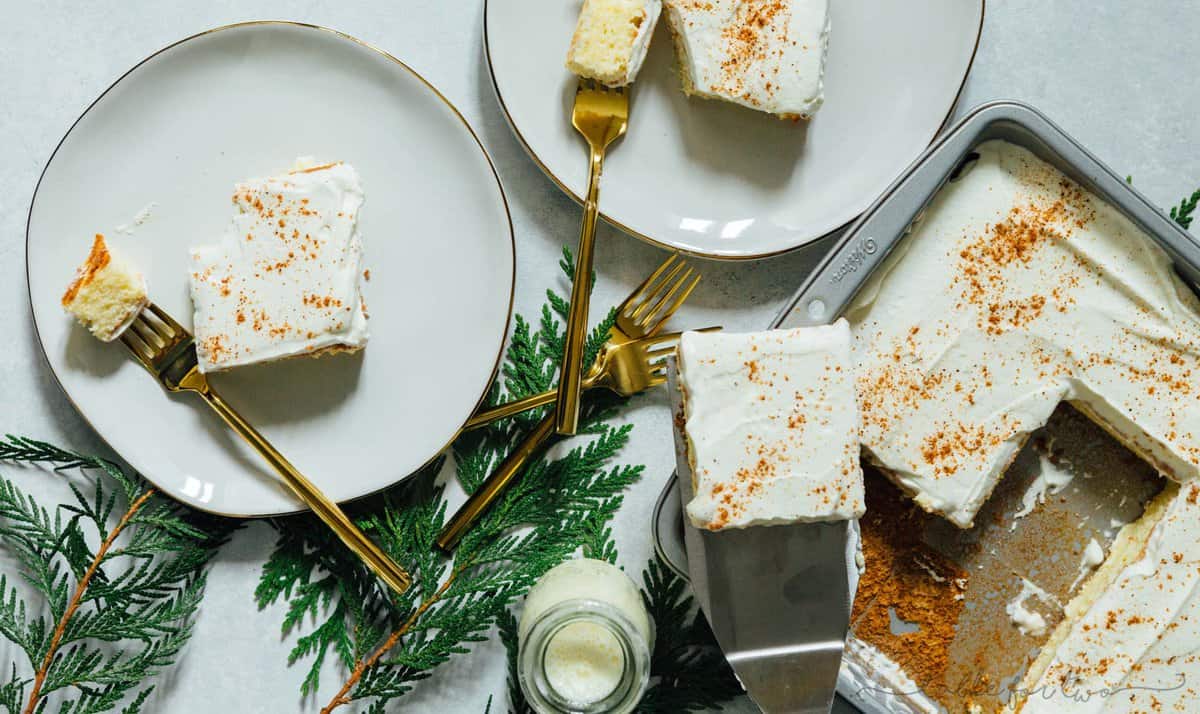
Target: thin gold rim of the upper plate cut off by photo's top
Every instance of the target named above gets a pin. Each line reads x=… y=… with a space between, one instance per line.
x=667 y=247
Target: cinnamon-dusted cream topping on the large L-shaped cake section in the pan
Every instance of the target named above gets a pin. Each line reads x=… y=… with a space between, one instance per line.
x=1016 y=292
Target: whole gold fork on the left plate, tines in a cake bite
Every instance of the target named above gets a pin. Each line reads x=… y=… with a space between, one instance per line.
x=167 y=351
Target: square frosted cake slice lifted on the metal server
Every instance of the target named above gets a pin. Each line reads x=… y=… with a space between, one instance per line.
x=772 y=428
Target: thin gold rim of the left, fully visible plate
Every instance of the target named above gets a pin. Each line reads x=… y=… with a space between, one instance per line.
x=415 y=74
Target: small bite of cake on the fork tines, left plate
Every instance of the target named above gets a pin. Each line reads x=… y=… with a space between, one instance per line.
x=107 y=293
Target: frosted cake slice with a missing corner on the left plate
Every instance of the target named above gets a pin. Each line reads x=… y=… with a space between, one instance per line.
x=286 y=278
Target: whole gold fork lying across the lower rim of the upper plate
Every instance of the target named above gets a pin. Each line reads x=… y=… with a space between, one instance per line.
x=602 y=115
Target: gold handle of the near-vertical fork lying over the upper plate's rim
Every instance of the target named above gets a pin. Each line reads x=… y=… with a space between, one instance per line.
x=567 y=410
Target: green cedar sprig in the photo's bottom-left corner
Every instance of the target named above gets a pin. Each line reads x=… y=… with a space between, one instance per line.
x=115 y=615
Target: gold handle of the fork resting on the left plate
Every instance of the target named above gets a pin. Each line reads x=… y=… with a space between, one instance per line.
x=326 y=509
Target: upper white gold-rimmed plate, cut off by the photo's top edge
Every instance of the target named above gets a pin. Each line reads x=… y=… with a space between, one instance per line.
x=718 y=181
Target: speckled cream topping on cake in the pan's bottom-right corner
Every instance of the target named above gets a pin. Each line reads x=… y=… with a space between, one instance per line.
x=1135 y=650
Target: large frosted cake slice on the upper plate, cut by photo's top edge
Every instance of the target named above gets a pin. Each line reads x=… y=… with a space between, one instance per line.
x=764 y=55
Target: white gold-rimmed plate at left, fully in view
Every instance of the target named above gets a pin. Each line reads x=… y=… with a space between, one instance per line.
x=152 y=165
